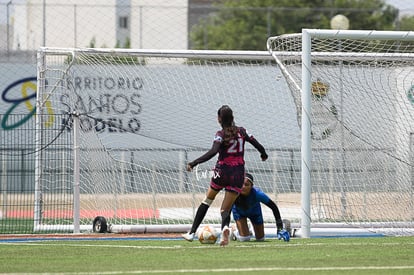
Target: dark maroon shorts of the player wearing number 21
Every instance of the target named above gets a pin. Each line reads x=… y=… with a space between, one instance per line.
x=230 y=178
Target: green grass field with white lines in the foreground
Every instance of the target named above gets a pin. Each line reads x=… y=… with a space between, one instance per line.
x=378 y=255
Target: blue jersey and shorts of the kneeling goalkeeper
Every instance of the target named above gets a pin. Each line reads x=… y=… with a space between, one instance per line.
x=249 y=206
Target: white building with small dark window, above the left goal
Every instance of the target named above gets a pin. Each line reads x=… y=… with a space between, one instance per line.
x=157 y=24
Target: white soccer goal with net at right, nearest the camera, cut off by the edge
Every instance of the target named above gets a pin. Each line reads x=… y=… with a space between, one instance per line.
x=353 y=92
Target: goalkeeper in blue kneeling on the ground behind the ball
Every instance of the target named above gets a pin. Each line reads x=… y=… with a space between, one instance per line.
x=247 y=206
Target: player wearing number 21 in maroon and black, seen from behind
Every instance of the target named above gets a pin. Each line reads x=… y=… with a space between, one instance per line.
x=228 y=172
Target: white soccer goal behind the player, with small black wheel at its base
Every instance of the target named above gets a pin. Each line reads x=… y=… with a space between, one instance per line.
x=116 y=128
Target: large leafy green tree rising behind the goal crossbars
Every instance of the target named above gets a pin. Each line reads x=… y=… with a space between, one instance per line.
x=246 y=24
